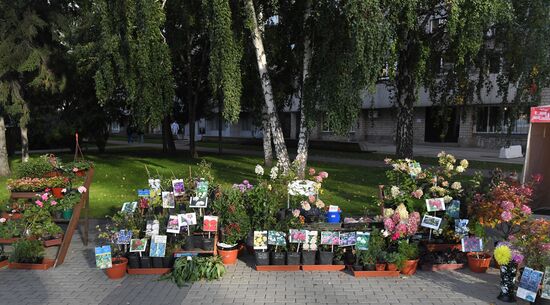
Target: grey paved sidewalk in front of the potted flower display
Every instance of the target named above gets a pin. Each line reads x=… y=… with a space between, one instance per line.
x=78 y=282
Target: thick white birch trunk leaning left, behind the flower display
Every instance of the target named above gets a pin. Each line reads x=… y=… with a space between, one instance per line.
x=274 y=123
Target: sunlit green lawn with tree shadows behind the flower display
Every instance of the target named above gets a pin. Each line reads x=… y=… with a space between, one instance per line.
x=121 y=171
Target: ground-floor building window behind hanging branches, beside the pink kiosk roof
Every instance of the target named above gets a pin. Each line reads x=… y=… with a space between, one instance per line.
x=492 y=119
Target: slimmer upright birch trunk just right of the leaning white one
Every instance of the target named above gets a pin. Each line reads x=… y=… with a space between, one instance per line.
x=303 y=135
